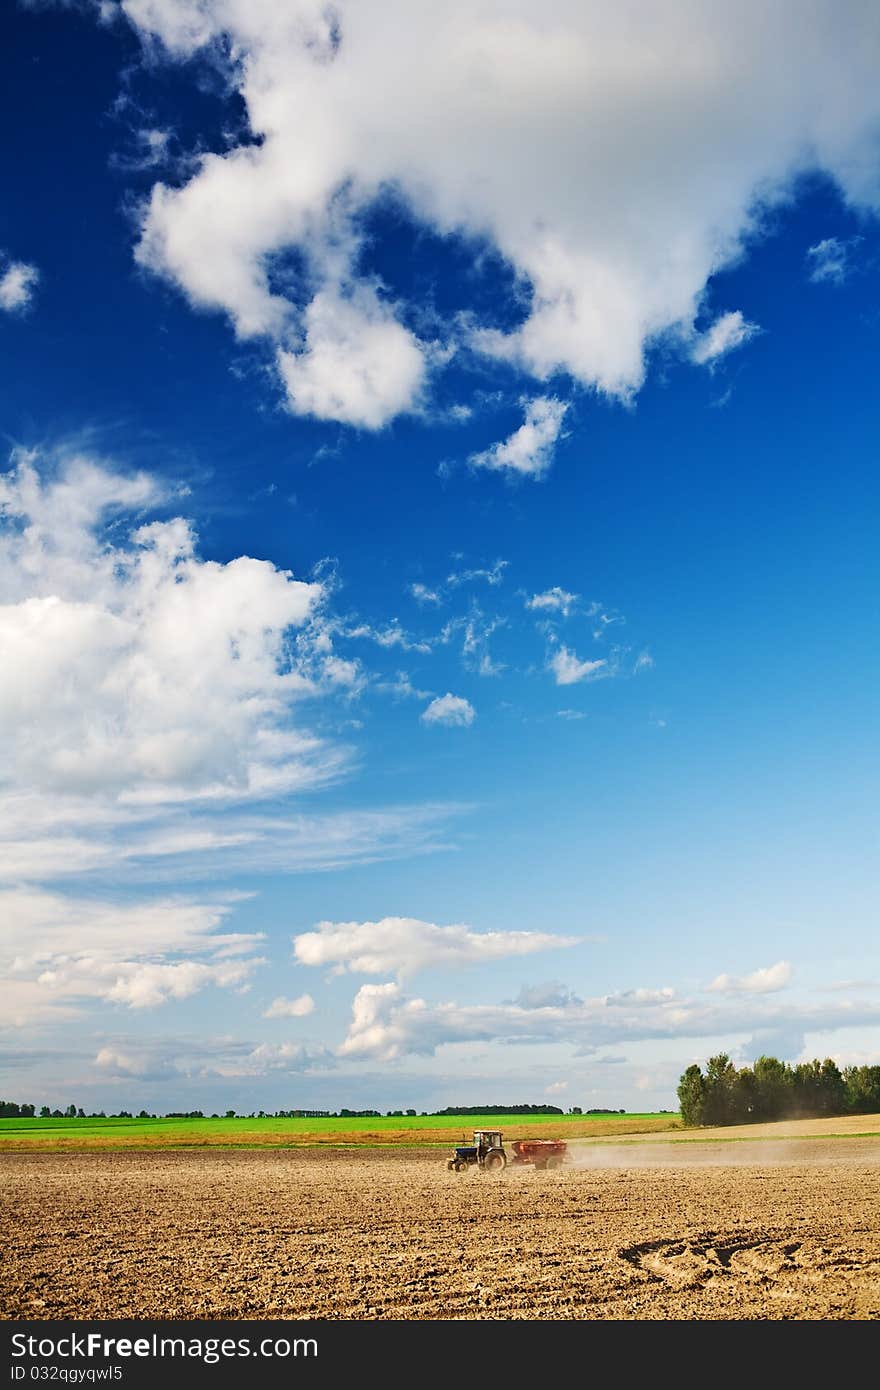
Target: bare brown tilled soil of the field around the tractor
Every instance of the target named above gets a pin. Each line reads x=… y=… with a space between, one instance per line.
x=679 y=1232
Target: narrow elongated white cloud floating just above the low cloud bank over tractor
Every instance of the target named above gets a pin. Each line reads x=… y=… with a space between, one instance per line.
x=404 y=946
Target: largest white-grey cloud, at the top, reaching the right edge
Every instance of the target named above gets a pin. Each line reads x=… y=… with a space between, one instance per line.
x=617 y=156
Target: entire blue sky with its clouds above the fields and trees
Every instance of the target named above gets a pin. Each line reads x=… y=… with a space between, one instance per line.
x=439 y=568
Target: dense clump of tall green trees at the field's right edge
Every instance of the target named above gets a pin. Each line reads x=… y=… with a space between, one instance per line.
x=774 y=1090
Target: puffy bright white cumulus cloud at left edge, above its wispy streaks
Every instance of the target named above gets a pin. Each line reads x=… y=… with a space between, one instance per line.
x=133 y=665
